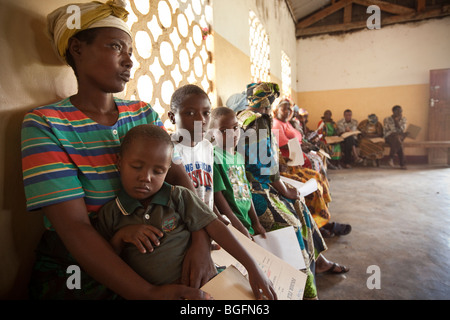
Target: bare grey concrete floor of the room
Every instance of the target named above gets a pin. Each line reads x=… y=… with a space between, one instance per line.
x=401 y=224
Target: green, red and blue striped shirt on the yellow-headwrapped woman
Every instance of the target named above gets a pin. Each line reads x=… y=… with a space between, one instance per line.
x=66 y=155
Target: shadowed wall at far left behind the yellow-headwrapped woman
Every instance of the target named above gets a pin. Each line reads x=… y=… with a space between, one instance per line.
x=31 y=76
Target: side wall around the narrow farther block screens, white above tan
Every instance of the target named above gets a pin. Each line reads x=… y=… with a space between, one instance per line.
x=232 y=48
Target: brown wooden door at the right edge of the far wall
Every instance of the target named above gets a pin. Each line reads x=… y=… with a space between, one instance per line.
x=439 y=114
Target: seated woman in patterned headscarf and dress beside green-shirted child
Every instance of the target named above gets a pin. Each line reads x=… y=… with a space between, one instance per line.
x=277 y=204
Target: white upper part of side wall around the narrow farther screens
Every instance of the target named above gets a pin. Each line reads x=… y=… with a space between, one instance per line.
x=231 y=21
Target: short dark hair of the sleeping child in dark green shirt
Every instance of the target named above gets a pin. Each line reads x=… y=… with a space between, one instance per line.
x=145 y=131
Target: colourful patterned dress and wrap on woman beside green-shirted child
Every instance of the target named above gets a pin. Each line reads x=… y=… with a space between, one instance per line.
x=275 y=211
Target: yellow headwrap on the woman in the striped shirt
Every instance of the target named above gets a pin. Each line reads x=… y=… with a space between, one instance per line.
x=93 y=14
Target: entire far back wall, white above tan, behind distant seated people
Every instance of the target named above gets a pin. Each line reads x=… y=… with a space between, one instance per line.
x=370 y=71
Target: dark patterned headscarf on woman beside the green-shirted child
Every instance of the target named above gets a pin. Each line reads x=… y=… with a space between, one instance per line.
x=262 y=94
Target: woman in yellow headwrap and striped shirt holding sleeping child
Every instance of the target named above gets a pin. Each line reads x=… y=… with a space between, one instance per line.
x=69 y=153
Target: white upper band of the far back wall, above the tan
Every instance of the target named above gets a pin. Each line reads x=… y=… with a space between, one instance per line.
x=391 y=56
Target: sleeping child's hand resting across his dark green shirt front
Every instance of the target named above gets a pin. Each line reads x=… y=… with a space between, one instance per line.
x=144 y=237
